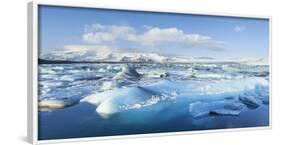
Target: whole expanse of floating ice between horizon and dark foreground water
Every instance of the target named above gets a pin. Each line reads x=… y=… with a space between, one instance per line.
x=139 y=92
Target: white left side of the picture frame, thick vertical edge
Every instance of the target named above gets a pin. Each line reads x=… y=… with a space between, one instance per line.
x=32 y=78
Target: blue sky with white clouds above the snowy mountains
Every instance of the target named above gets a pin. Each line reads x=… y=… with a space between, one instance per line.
x=70 y=29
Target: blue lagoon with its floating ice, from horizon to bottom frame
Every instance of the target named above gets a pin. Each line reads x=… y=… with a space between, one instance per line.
x=224 y=96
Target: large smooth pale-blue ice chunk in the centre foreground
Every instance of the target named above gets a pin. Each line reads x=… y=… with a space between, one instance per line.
x=120 y=100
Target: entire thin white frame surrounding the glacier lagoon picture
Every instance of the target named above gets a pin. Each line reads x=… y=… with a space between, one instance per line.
x=32 y=70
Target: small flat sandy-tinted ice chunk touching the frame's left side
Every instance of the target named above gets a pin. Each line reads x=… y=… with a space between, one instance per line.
x=53 y=104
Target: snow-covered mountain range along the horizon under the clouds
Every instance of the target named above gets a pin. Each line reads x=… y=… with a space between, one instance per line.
x=112 y=56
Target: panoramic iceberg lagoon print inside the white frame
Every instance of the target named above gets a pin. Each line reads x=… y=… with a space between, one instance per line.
x=106 y=72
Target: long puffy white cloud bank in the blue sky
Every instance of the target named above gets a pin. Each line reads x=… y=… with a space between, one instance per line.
x=152 y=36
